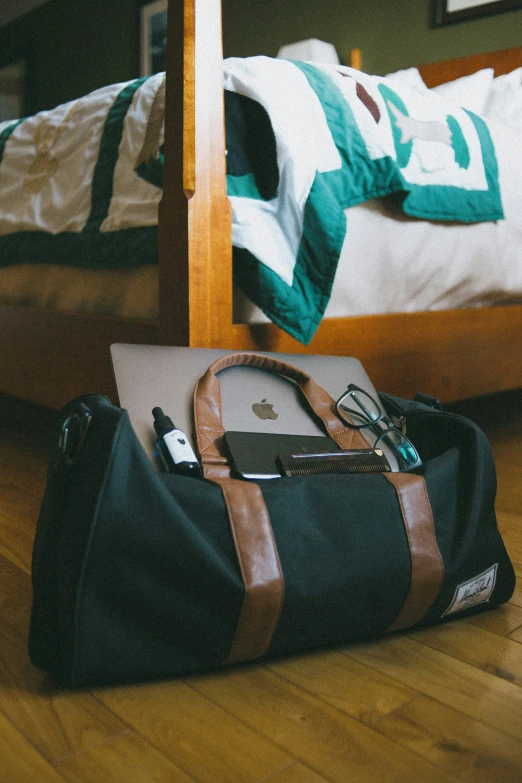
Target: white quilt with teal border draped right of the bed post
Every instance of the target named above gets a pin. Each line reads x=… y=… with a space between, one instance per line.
x=342 y=138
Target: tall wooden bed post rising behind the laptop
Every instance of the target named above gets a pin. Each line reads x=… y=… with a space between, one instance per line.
x=195 y=242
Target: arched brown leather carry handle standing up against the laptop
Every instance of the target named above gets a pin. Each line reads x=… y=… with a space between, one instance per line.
x=208 y=417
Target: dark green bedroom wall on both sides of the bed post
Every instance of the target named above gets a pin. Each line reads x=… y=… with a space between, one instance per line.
x=75 y=46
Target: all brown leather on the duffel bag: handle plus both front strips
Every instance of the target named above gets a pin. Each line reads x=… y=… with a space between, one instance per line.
x=250 y=523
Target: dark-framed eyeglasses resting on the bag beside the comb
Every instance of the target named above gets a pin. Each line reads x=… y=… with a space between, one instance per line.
x=373 y=424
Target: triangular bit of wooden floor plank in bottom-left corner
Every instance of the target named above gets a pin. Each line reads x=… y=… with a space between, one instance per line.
x=20 y=762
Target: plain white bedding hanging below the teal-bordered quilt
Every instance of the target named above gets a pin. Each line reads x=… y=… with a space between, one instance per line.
x=392 y=263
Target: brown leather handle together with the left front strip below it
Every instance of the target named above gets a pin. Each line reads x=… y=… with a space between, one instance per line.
x=249 y=519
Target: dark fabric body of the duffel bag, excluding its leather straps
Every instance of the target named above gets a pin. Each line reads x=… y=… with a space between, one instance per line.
x=136 y=576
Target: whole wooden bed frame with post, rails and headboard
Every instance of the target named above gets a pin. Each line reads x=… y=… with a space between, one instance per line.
x=49 y=357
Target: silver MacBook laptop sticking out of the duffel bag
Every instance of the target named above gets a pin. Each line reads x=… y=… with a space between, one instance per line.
x=253 y=400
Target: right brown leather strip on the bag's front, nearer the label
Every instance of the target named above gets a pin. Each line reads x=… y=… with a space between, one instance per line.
x=427 y=568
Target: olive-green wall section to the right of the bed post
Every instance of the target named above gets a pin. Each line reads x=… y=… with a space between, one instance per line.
x=392 y=34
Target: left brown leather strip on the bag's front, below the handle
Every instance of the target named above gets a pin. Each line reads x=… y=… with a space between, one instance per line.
x=260 y=569
